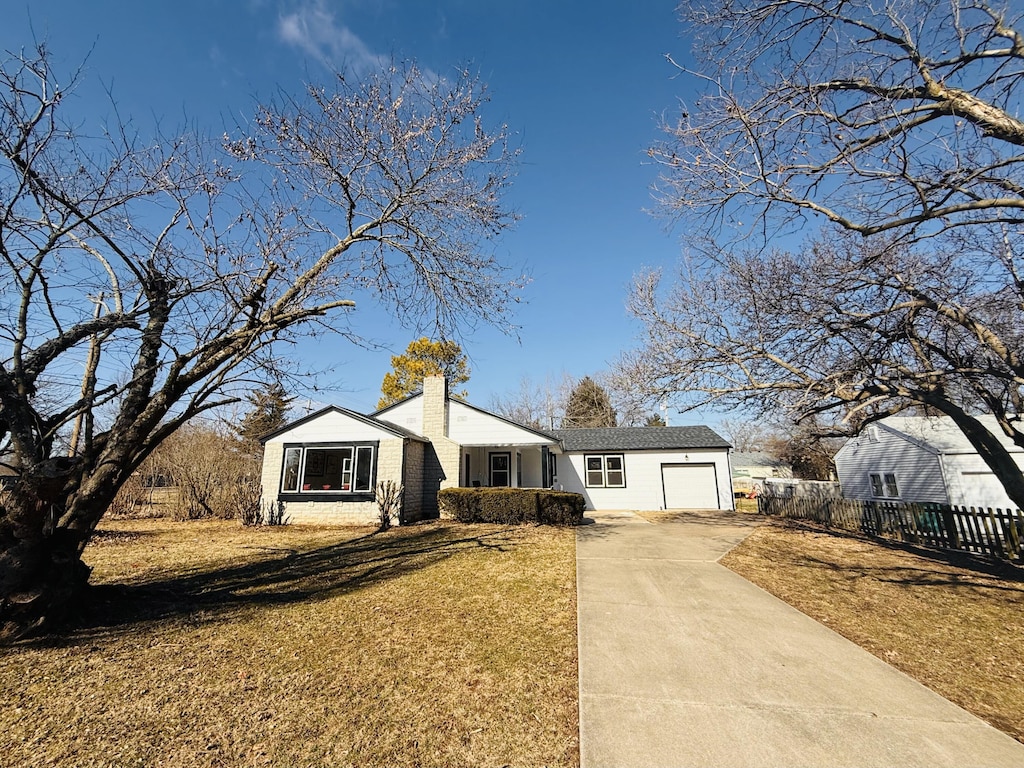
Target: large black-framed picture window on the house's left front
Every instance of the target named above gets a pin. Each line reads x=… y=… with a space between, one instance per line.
x=328 y=470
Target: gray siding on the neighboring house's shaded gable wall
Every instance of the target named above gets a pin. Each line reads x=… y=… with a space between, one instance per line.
x=918 y=471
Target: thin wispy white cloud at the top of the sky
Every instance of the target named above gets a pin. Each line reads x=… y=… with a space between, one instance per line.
x=314 y=29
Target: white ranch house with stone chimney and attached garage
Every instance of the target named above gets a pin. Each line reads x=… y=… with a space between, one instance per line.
x=326 y=466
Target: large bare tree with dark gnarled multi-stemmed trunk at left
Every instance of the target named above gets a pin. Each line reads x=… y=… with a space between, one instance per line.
x=184 y=265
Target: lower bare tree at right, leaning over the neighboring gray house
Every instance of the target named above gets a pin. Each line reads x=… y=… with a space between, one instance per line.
x=848 y=331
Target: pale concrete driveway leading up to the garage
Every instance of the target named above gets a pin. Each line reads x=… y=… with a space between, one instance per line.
x=682 y=663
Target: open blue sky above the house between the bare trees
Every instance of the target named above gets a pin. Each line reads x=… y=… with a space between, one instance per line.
x=581 y=86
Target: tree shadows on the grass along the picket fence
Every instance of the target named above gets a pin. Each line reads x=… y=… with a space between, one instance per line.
x=989 y=569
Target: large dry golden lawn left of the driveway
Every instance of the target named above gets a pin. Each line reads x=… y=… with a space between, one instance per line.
x=209 y=645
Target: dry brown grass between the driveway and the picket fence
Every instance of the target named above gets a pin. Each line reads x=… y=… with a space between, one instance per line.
x=955 y=623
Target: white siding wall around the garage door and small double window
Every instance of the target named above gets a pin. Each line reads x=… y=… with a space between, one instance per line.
x=645 y=483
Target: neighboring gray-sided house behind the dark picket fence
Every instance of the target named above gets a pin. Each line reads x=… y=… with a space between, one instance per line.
x=922 y=459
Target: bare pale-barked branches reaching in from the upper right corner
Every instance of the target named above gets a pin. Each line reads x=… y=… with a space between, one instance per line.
x=900 y=115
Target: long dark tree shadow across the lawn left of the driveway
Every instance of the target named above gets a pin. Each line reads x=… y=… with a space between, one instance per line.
x=280 y=577
